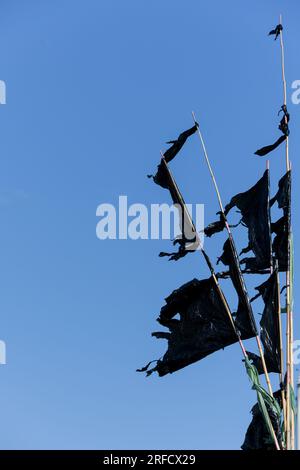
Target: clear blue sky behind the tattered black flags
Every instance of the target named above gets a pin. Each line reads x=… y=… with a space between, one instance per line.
x=94 y=89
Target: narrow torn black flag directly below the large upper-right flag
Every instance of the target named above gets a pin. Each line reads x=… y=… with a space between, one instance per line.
x=270 y=327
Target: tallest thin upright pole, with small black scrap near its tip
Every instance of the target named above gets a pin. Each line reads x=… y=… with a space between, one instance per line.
x=289 y=315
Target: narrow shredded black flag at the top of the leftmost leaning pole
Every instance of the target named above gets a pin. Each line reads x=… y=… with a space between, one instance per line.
x=188 y=241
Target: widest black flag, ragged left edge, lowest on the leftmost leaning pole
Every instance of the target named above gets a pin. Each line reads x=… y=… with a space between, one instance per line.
x=203 y=327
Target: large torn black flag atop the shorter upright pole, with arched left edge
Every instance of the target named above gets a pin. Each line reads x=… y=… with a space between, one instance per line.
x=255 y=210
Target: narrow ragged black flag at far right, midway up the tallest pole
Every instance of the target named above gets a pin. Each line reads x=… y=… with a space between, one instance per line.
x=281 y=227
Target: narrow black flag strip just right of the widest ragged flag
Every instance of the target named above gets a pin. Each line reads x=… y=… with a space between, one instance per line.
x=244 y=319
